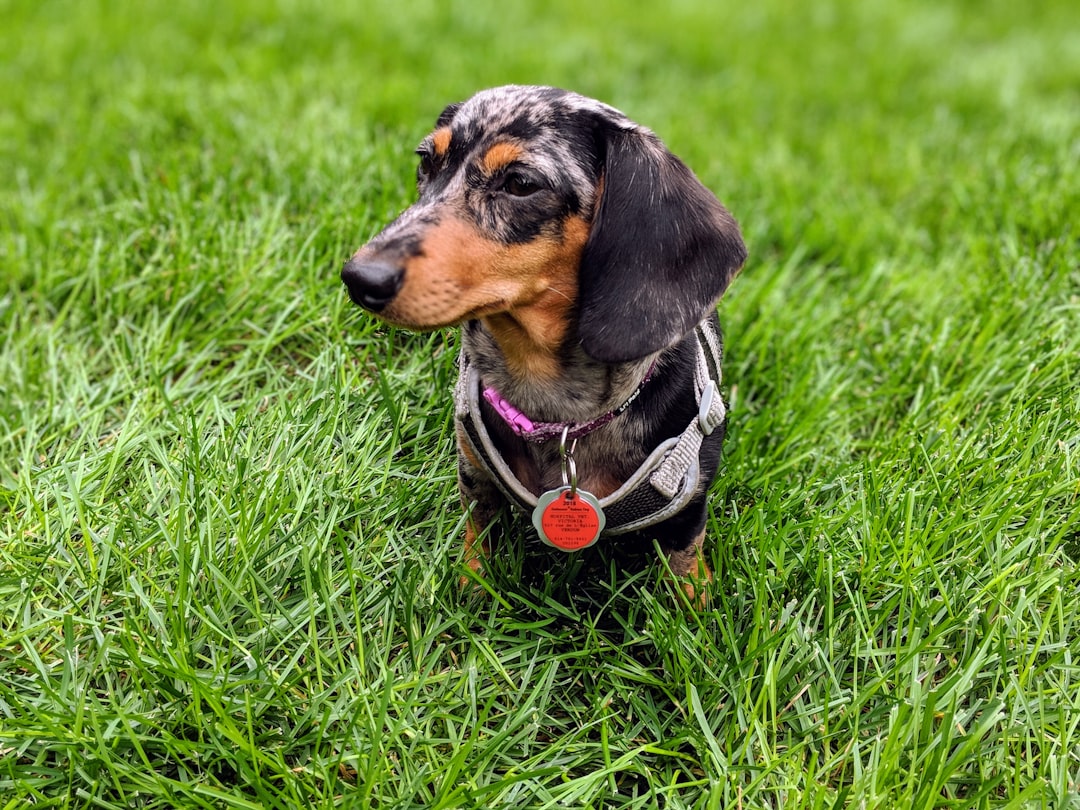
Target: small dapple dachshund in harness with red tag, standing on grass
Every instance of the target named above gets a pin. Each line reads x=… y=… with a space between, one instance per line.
x=584 y=263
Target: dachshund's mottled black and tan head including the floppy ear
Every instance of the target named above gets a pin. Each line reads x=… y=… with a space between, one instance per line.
x=558 y=211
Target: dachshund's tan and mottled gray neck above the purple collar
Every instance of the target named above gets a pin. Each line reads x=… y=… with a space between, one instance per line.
x=559 y=383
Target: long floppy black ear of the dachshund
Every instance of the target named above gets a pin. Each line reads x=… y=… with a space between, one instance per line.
x=661 y=252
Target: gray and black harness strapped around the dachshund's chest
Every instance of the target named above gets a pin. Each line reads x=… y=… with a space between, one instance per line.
x=665 y=483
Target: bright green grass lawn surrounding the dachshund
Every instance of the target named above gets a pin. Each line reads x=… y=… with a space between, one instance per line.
x=229 y=533
